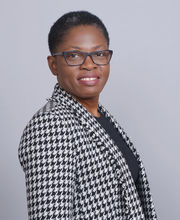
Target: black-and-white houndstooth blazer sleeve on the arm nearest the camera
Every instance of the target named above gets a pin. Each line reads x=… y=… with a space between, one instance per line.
x=47 y=157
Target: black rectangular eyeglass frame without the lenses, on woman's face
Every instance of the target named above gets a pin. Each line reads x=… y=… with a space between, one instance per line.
x=64 y=53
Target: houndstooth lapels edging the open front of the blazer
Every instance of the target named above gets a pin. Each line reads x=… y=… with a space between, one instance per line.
x=103 y=141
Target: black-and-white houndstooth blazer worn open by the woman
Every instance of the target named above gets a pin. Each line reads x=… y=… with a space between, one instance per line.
x=73 y=170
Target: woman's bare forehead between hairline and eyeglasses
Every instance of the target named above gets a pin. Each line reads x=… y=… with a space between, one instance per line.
x=83 y=37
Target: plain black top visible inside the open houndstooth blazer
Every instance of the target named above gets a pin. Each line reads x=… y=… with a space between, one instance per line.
x=119 y=141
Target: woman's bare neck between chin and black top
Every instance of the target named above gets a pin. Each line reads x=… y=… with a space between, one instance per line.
x=91 y=104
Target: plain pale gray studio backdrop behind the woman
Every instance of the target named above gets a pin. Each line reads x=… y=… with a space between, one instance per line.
x=142 y=92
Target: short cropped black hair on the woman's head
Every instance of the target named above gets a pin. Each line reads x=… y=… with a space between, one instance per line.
x=70 y=20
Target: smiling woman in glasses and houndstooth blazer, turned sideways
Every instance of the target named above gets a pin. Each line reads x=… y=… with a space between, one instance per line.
x=78 y=161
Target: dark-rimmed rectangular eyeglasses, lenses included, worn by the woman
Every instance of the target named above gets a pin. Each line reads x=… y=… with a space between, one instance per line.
x=77 y=58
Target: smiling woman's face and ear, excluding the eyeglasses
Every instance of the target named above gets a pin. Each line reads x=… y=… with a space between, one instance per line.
x=87 y=80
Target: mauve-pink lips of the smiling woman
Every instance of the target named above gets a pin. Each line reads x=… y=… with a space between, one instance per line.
x=91 y=82
